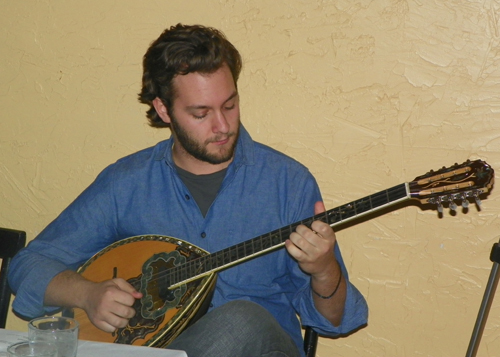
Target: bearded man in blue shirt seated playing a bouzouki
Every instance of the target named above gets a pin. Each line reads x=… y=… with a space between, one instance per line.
x=211 y=185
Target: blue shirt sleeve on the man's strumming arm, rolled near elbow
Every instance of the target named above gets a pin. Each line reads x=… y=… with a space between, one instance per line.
x=78 y=233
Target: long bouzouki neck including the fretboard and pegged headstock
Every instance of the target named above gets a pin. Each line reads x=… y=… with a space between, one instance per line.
x=446 y=186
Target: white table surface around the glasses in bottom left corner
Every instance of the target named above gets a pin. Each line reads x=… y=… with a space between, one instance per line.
x=96 y=349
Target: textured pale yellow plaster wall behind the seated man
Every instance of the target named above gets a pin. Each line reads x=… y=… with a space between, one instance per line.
x=367 y=94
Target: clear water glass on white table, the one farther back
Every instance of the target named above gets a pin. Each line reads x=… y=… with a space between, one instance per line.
x=63 y=331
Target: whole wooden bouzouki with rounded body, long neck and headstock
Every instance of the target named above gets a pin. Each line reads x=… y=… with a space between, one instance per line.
x=177 y=279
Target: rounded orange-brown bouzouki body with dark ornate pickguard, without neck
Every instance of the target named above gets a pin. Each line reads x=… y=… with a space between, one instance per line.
x=161 y=314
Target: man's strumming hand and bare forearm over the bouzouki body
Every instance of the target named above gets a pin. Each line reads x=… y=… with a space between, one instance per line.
x=108 y=304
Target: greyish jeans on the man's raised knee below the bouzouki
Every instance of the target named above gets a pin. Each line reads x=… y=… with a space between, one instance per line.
x=236 y=329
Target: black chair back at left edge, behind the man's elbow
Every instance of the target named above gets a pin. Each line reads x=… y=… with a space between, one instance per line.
x=11 y=241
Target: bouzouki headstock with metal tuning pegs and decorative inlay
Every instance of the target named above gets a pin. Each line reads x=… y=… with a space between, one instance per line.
x=455 y=183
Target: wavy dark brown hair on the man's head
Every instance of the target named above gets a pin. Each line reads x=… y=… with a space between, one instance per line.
x=180 y=50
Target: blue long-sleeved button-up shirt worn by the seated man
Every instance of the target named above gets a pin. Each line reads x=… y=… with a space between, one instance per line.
x=142 y=194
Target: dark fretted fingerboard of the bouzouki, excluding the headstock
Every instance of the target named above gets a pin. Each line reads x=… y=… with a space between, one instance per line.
x=271 y=241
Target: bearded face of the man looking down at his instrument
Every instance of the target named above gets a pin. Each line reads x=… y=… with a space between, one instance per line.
x=205 y=116
